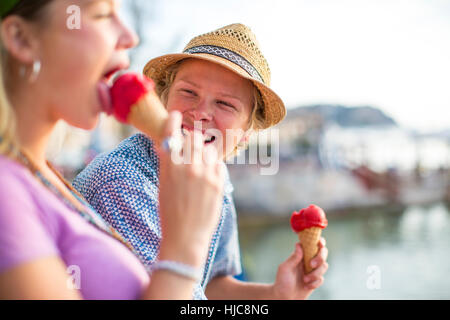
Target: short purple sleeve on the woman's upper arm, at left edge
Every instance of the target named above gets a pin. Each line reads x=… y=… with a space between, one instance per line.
x=23 y=233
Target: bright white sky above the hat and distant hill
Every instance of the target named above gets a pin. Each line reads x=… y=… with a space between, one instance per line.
x=390 y=54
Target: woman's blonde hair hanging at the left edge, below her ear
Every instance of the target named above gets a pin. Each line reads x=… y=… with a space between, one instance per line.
x=8 y=142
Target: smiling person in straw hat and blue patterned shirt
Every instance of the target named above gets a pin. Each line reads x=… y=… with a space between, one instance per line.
x=219 y=82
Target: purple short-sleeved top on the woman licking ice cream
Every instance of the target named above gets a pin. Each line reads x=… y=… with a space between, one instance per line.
x=35 y=224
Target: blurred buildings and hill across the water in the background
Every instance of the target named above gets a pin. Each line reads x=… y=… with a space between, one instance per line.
x=345 y=157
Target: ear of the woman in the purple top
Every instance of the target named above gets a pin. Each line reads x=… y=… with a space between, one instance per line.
x=16 y=38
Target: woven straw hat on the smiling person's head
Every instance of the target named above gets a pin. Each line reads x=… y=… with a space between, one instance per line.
x=274 y=109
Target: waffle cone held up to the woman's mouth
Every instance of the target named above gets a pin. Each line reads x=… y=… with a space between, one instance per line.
x=149 y=116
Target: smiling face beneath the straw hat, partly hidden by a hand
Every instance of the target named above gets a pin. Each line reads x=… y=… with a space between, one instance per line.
x=219 y=99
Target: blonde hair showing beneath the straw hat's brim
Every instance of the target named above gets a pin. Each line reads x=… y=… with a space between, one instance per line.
x=256 y=120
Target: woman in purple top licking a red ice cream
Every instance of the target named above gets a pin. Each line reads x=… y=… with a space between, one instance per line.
x=47 y=230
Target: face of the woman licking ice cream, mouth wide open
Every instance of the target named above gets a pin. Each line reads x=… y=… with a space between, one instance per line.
x=77 y=62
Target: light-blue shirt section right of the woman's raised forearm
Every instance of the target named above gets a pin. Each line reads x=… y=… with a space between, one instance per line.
x=228 y=258
